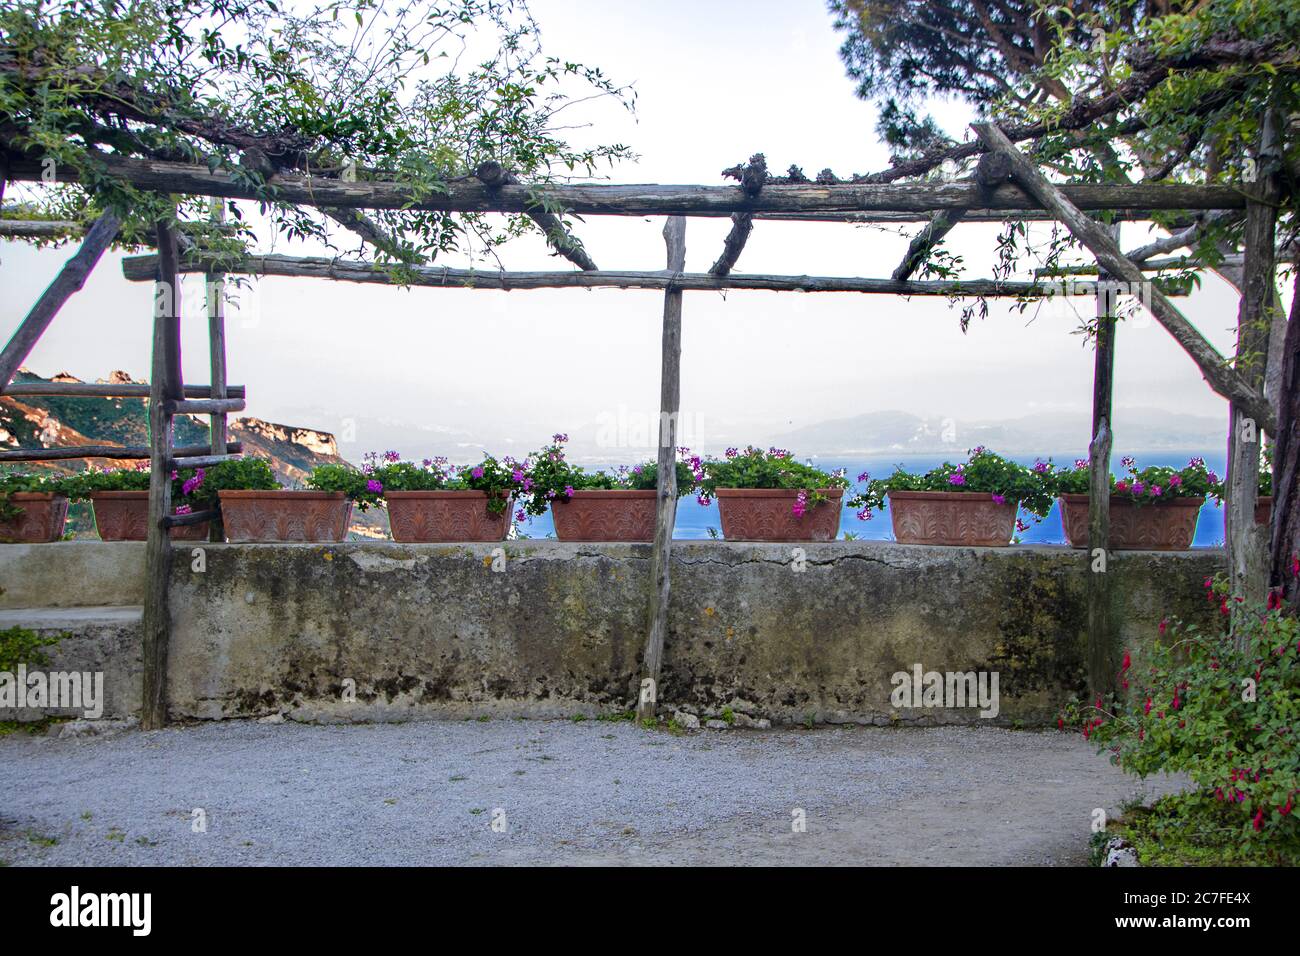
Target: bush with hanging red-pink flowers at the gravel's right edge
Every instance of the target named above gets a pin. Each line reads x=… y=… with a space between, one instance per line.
x=1225 y=712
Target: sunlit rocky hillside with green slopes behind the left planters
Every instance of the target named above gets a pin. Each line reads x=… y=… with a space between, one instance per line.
x=60 y=422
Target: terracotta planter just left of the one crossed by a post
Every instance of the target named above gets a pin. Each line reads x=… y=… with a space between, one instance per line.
x=952 y=518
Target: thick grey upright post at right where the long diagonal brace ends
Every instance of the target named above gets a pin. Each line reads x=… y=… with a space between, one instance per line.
x=1247 y=542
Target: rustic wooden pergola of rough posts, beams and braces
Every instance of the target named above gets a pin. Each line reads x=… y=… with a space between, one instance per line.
x=1007 y=185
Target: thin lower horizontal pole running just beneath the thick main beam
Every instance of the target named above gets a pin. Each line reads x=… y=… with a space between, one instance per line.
x=142 y=269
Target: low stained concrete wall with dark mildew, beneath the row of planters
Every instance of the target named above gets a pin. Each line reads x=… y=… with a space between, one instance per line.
x=432 y=630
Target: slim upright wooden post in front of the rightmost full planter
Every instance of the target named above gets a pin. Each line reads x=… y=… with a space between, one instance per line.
x=1102 y=648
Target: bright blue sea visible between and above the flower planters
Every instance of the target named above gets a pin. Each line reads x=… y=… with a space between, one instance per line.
x=695 y=521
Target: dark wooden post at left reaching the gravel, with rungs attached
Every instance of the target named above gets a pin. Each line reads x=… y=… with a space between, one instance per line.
x=164 y=388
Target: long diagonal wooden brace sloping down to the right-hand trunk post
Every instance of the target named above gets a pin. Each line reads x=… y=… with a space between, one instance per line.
x=1095 y=239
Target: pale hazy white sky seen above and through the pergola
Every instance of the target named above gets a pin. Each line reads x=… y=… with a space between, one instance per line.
x=510 y=369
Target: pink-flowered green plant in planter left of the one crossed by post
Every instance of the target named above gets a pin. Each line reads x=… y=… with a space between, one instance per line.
x=985 y=473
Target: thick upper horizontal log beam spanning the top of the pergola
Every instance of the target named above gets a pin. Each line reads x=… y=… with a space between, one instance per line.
x=605 y=200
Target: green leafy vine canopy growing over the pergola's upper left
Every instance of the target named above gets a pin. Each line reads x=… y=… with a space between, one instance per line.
x=419 y=92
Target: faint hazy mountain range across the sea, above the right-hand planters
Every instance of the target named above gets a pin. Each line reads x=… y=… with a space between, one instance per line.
x=899 y=432
